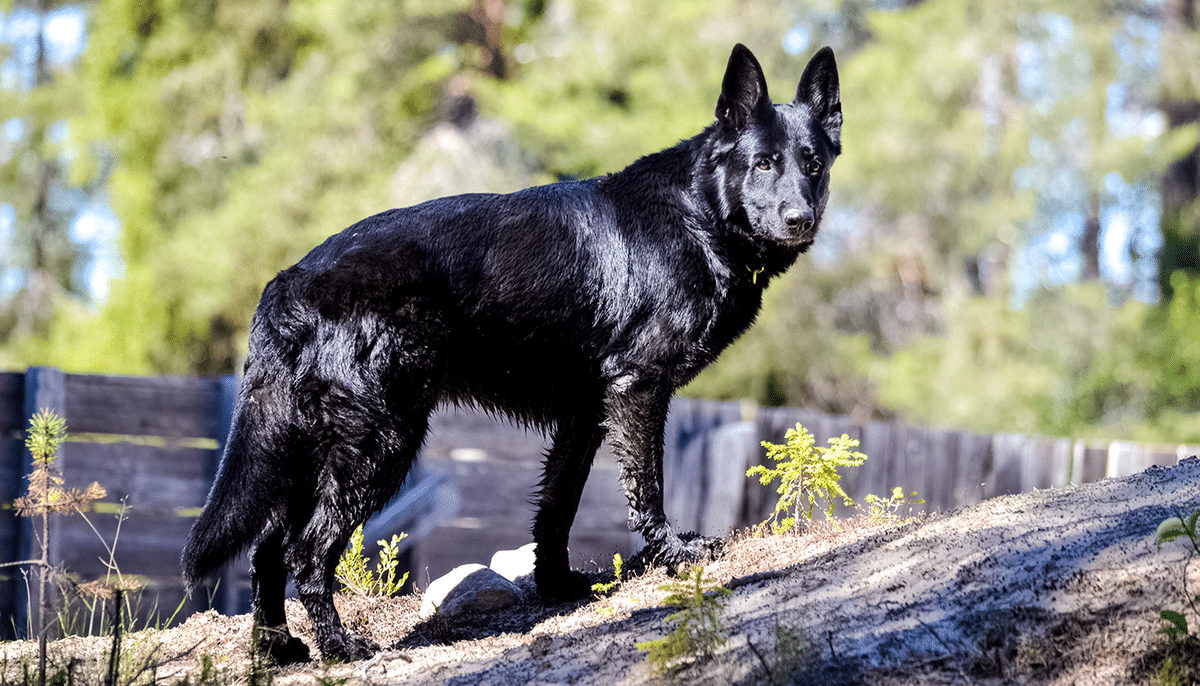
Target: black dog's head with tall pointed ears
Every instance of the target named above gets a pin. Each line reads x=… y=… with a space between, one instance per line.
x=776 y=159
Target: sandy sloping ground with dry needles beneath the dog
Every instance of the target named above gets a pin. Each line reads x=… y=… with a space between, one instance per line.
x=1053 y=587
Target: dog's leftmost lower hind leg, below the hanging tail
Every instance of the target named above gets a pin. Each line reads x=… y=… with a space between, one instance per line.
x=268 y=580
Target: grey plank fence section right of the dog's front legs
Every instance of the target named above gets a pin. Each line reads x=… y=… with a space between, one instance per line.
x=711 y=446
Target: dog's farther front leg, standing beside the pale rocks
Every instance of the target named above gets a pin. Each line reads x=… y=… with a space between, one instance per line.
x=568 y=464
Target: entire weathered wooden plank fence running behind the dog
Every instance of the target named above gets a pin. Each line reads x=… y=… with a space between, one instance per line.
x=154 y=444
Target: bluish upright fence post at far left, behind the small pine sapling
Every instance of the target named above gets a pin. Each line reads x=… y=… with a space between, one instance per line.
x=45 y=390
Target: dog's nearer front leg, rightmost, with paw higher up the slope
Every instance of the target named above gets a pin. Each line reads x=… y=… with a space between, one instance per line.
x=637 y=422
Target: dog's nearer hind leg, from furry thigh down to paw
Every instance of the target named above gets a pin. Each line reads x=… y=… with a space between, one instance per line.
x=377 y=358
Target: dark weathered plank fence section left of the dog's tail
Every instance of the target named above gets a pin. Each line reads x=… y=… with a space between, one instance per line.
x=151 y=443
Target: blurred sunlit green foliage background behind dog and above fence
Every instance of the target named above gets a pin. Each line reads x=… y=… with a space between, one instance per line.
x=230 y=139
